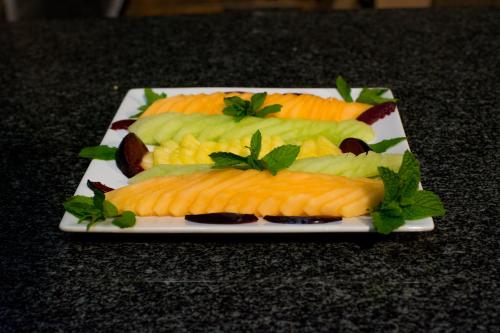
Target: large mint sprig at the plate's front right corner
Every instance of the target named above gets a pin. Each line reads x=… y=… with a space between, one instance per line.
x=402 y=198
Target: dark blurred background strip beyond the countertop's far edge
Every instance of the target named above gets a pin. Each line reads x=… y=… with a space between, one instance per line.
x=25 y=10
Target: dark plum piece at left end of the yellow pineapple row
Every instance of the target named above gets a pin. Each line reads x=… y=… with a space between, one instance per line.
x=129 y=155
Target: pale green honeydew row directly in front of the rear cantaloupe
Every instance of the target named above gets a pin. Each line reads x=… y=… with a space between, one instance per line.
x=173 y=126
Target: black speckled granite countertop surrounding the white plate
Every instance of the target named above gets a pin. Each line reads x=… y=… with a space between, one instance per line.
x=62 y=81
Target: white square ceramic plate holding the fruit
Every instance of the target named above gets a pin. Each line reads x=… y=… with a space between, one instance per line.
x=107 y=173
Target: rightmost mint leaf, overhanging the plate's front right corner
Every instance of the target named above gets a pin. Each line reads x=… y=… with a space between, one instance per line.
x=425 y=203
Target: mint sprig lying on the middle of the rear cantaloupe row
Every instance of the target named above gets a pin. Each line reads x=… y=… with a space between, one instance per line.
x=239 y=108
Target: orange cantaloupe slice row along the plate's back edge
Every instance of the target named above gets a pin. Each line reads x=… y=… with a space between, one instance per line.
x=299 y=106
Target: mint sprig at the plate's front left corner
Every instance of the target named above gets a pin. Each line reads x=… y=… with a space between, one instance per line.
x=97 y=208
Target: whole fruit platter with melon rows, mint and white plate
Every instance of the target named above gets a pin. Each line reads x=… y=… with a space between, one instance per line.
x=253 y=160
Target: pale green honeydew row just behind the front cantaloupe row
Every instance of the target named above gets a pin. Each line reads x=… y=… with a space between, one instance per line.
x=349 y=165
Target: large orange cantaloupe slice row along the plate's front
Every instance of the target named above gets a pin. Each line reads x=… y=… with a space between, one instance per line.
x=250 y=192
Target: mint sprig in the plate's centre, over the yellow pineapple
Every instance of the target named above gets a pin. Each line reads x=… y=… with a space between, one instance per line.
x=277 y=159
